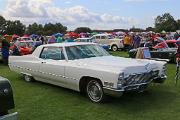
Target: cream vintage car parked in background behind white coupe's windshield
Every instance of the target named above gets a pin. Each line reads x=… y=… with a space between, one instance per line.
x=108 y=39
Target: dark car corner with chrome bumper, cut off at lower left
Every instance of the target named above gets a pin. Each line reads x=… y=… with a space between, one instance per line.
x=6 y=100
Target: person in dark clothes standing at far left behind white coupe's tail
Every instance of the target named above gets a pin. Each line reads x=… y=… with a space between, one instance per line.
x=5 y=51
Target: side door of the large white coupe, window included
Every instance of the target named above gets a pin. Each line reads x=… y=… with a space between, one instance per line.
x=52 y=65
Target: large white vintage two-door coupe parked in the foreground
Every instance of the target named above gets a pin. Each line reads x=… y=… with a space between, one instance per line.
x=87 y=67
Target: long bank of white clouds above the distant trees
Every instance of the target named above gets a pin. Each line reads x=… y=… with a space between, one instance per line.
x=43 y=11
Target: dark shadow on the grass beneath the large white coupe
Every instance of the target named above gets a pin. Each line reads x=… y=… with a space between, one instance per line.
x=151 y=99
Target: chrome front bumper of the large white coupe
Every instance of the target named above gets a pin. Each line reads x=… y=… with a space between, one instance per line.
x=134 y=87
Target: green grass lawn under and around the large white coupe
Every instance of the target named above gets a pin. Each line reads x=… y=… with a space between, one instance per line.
x=39 y=101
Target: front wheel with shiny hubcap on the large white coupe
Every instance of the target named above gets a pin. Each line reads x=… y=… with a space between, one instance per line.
x=95 y=92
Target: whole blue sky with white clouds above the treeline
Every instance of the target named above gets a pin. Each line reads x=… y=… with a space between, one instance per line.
x=95 y=14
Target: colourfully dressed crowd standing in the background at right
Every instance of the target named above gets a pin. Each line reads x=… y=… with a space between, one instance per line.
x=135 y=40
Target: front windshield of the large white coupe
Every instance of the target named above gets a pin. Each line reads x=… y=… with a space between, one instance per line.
x=85 y=51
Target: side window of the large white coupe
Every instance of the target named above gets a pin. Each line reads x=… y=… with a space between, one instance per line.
x=54 y=53
